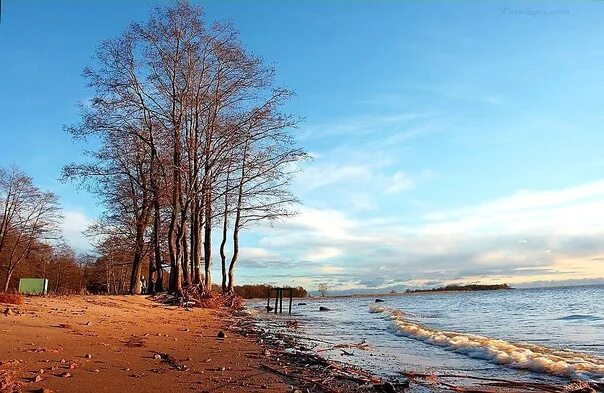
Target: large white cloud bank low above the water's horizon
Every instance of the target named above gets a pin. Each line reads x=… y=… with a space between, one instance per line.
x=526 y=236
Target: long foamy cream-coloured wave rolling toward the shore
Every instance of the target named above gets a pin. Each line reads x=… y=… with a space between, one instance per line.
x=523 y=356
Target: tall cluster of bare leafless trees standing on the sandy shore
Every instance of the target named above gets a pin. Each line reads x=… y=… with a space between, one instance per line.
x=188 y=146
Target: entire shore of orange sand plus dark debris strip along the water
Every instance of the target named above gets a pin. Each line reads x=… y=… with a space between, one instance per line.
x=132 y=343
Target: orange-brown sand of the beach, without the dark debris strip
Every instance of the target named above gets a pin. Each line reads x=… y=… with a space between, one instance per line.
x=110 y=343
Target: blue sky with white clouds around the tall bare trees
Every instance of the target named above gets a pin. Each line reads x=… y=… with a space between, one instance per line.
x=452 y=141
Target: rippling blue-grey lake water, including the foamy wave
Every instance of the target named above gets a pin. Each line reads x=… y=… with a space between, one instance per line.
x=540 y=335
